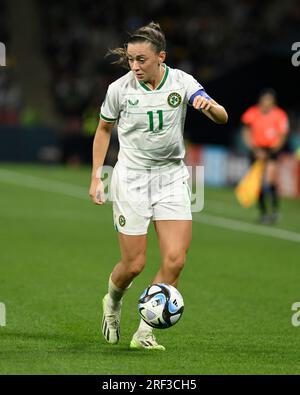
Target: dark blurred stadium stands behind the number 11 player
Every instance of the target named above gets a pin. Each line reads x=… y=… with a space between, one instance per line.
x=57 y=73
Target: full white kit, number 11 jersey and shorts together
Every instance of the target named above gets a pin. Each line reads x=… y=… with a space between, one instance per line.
x=150 y=178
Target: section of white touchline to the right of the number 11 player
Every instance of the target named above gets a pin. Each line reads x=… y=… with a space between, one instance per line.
x=240 y=226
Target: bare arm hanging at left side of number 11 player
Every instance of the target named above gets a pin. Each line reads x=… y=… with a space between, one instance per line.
x=100 y=147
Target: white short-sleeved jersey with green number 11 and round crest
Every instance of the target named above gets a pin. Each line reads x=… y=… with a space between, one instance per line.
x=150 y=122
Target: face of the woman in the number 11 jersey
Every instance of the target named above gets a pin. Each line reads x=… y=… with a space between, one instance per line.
x=144 y=61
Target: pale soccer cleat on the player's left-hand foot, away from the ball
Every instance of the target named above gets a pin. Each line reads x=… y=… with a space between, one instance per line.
x=110 y=322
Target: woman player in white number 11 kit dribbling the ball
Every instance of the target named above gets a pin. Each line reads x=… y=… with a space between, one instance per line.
x=150 y=179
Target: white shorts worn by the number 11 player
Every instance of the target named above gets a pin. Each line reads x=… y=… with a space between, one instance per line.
x=141 y=195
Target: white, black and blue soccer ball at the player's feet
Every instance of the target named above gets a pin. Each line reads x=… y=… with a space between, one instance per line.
x=161 y=305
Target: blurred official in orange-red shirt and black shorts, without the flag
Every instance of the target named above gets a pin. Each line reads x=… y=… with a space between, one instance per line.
x=265 y=132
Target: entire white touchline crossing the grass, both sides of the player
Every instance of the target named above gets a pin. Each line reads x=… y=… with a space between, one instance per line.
x=19 y=179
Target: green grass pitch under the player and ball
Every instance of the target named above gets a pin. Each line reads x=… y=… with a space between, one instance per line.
x=57 y=251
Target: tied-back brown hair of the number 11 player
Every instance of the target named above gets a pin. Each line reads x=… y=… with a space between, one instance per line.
x=151 y=33
